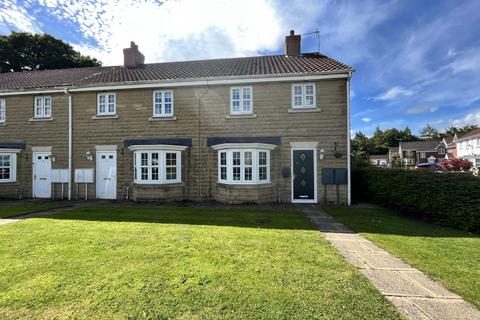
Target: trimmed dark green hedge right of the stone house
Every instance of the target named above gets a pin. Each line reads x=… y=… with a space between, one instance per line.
x=445 y=198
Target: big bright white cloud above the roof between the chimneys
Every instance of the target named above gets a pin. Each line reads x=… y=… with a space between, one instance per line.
x=172 y=30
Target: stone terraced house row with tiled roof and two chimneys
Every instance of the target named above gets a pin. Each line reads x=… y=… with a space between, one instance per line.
x=238 y=130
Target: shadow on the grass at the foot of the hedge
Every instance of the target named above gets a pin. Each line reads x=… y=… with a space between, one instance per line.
x=384 y=221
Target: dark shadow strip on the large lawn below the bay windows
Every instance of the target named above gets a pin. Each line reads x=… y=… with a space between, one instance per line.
x=216 y=216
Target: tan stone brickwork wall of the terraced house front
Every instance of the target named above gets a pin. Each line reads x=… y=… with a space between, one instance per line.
x=199 y=113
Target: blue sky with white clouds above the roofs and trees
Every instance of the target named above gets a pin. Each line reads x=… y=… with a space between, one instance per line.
x=417 y=61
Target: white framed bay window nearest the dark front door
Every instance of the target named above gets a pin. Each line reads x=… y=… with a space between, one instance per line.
x=243 y=166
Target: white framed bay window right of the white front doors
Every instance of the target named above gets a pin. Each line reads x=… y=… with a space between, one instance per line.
x=157 y=166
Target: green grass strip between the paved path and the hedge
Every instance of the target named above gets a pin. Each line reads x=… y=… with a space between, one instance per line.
x=447 y=255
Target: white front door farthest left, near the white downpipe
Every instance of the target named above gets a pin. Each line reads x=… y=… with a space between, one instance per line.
x=42 y=167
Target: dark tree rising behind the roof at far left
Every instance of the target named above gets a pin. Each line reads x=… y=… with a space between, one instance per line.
x=24 y=51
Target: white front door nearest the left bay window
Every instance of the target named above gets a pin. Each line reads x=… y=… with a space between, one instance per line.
x=106 y=174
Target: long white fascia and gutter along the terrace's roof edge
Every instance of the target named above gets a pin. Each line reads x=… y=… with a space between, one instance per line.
x=189 y=83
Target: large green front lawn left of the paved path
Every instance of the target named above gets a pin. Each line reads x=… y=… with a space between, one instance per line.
x=183 y=263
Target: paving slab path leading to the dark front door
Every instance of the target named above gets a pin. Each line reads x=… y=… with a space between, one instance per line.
x=414 y=294
